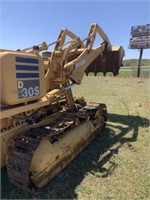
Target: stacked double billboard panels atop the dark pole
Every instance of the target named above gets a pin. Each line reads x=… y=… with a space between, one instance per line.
x=140 y=37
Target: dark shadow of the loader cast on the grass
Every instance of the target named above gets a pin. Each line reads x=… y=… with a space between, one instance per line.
x=91 y=160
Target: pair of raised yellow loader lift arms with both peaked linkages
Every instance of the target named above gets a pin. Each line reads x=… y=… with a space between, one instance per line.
x=75 y=58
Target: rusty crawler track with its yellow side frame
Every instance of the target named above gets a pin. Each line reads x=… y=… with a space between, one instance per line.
x=36 y=156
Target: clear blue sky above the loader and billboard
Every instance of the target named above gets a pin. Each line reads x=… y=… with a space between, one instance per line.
x=25 y=23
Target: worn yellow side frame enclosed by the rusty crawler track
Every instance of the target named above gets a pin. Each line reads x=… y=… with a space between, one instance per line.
x=47 y=155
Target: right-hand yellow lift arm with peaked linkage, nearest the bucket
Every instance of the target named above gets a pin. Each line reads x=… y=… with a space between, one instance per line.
x=75 y=69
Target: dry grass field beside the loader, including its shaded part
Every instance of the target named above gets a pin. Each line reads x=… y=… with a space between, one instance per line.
x=116 y=164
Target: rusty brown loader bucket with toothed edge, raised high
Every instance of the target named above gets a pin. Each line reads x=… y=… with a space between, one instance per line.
x=110 y=61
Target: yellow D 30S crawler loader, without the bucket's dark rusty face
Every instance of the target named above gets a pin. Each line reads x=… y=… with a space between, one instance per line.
x=43 y=127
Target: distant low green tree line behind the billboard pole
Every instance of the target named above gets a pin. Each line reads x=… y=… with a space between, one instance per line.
x=134 y=62
